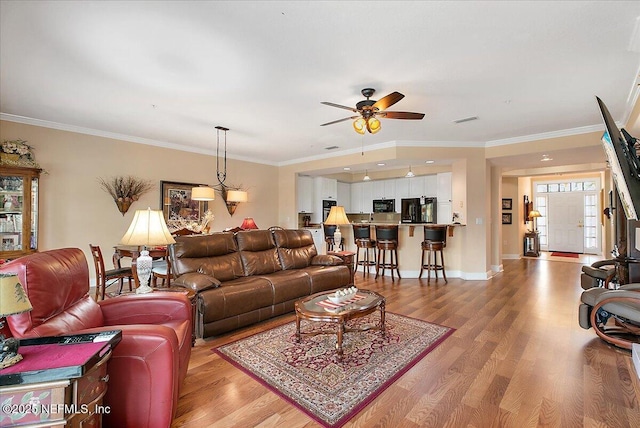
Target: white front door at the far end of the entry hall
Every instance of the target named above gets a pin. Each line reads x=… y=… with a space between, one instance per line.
x=566 y=222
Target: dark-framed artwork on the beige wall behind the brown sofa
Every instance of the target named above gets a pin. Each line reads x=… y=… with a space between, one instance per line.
x=176 y=203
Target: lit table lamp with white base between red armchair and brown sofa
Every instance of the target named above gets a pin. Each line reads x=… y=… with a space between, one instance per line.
x=148 y=228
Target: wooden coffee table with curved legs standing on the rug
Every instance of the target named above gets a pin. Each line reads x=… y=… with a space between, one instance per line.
x=317 y=307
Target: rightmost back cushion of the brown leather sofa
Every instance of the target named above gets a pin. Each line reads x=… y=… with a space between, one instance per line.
x=295 y=248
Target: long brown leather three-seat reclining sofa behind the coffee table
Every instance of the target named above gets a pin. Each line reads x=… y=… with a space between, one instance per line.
x=249 y=276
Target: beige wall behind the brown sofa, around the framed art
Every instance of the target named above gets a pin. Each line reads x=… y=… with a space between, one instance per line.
x=75 y=211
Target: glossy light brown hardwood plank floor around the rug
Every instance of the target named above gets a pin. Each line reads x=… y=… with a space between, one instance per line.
x=518 y=359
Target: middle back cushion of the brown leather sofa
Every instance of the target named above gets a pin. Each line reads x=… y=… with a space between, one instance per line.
x=258 y=252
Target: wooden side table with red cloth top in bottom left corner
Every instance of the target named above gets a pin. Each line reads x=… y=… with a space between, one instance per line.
x=58 y=383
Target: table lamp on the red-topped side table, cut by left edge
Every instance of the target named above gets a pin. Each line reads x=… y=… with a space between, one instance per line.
x=13 y=300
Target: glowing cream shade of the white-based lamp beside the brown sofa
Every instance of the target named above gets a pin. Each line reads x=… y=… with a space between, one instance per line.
x=147 y=228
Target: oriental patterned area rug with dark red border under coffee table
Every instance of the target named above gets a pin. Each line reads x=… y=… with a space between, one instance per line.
x=310 y=375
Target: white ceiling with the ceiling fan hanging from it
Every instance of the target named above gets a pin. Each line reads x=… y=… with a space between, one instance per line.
x=167 y=73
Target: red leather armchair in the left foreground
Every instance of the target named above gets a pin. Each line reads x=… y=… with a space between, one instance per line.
x=149 y=364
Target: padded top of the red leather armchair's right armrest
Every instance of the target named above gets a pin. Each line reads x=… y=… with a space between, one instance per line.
x=152 y=308
